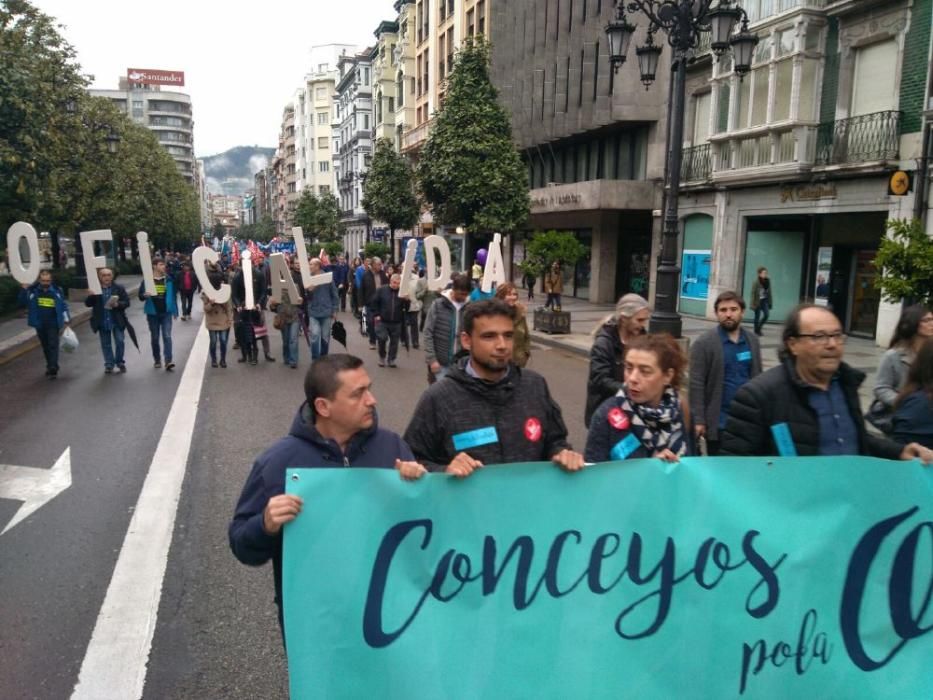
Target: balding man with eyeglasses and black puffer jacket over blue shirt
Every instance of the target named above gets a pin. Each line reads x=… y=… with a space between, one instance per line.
x=808 y=405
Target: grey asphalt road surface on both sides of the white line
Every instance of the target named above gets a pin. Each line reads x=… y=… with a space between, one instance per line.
x=216 y=634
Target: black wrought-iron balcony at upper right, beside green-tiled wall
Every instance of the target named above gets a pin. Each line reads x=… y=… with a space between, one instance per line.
x=861 y=139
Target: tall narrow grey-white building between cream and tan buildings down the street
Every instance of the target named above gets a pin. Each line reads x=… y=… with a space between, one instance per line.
x=353 y=146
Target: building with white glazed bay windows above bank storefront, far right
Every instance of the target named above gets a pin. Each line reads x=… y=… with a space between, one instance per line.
x=791 y=167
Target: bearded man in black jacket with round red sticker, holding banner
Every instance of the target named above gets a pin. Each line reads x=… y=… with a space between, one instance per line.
x=488 y=410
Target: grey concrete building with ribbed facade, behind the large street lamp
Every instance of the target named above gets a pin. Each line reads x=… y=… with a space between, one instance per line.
x=593 y=140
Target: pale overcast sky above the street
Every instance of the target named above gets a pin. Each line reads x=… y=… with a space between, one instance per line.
x=242 y=60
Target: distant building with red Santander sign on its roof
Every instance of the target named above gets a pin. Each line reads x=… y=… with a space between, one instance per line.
x=166 y=113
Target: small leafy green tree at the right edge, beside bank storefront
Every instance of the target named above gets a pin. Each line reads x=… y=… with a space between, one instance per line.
x=905 y=263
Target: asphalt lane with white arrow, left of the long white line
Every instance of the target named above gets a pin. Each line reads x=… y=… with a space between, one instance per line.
x=55 y=565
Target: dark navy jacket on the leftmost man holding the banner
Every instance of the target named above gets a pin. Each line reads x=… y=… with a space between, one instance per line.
x=304 y=447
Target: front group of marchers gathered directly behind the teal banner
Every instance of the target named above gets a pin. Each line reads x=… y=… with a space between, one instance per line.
x=482 y=407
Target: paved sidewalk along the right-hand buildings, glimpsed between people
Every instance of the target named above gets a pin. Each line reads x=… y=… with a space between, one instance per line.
x=861 y=353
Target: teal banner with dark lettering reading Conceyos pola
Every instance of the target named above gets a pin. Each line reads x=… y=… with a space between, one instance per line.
x=712 y=578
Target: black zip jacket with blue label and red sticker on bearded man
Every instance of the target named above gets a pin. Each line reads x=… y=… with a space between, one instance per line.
x=512 y=420
